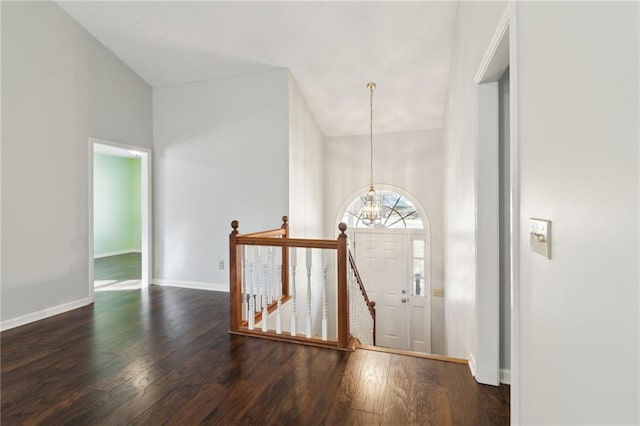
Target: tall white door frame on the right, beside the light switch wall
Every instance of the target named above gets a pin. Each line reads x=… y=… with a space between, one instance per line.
x=500 y=54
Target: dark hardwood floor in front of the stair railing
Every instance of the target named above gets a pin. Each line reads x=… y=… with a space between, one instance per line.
x=165 y=357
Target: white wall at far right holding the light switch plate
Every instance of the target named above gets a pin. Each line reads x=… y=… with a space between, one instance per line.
x=577 y=82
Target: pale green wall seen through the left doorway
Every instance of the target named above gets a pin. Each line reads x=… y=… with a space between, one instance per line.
x=116 y=204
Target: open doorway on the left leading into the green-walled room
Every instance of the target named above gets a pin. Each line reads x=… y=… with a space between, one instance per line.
x=119 y=217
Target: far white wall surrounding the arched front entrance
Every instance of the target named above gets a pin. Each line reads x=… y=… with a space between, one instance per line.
x=412 y=161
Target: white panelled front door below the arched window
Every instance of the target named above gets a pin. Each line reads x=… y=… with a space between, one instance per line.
x=384 y=260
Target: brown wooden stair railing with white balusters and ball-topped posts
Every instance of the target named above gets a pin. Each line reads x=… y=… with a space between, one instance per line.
x=274 y=289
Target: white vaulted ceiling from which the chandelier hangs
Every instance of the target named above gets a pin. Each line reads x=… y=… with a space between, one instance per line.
x=331 y=48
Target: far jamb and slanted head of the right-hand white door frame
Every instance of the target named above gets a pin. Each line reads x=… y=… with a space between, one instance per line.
x=495 y=61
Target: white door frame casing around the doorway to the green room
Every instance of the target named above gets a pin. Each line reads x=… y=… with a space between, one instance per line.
x=146 y=208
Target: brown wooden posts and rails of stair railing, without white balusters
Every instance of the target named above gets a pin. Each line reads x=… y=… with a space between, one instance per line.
x=280 y=238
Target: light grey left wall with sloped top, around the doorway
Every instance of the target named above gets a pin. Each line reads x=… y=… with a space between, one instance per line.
x=60 y=86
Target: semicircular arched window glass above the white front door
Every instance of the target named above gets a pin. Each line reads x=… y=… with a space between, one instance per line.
x=397 y=213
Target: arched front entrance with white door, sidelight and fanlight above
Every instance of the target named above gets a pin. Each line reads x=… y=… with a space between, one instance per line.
x=394 y=261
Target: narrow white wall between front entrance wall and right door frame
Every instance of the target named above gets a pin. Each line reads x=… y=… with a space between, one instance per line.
x=476 y=23
